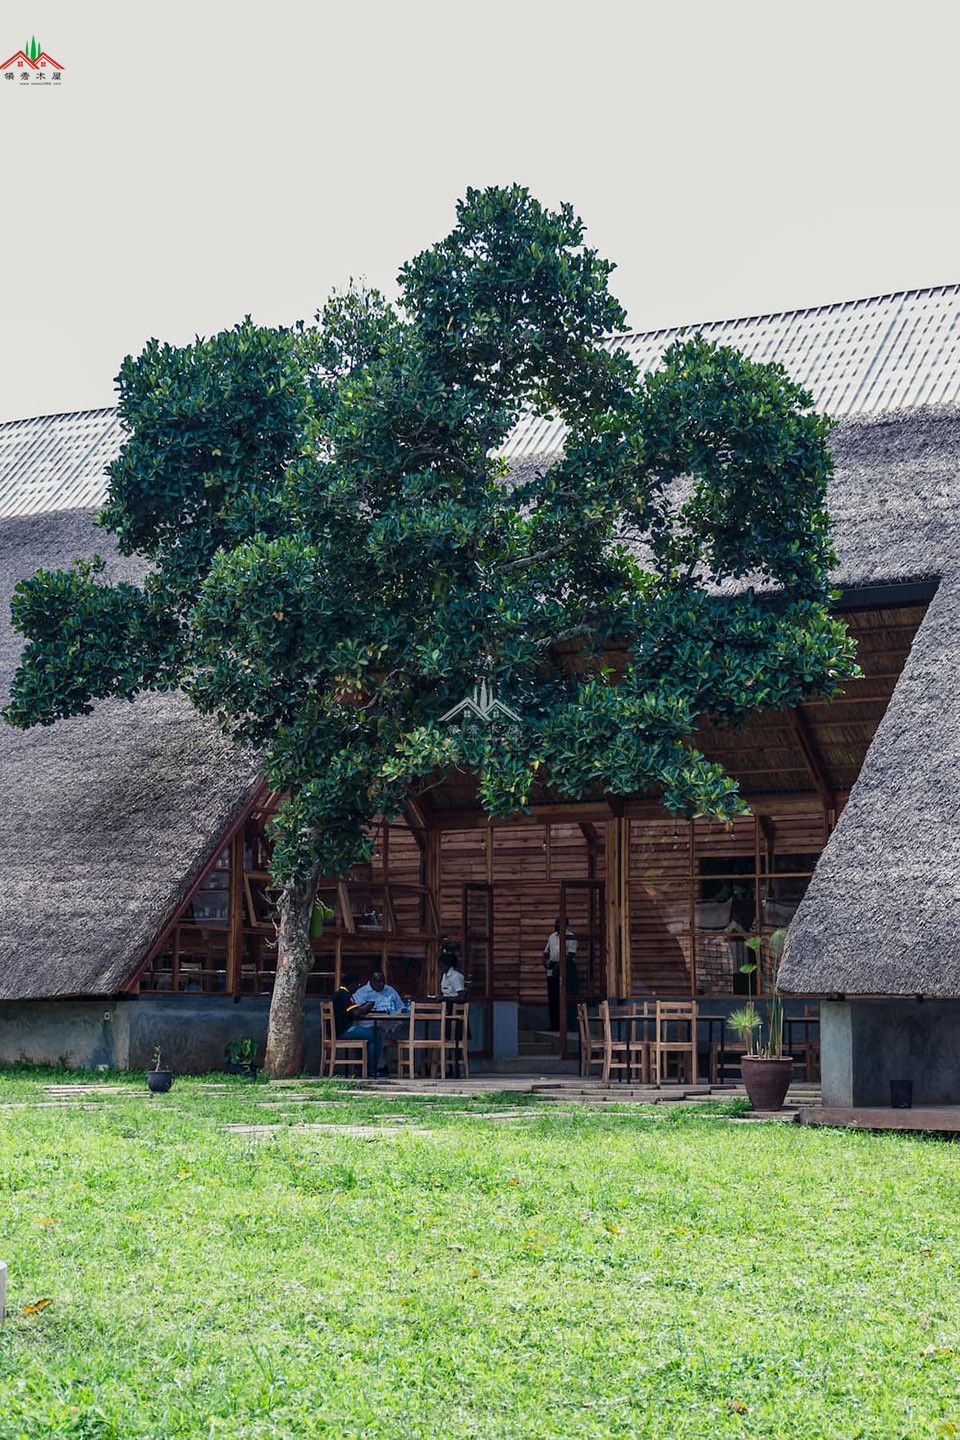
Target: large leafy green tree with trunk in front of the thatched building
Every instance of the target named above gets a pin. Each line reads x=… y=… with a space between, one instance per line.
x=339 y=557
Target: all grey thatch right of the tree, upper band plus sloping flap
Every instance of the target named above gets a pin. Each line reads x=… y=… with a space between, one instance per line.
x=883 y=912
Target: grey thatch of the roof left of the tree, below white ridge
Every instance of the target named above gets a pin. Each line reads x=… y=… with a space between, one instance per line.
x=109 y=819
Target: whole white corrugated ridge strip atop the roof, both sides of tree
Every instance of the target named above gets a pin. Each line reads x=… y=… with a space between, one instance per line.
x=857 y=358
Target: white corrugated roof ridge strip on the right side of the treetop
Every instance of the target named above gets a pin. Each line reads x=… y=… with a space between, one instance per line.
x=857 y=358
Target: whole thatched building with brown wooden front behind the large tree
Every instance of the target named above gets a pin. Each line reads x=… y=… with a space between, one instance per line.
x=135 y=894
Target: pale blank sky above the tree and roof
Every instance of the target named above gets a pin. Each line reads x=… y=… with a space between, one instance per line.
x=208 y=159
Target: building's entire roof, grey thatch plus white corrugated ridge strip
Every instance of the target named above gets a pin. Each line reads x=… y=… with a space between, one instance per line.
x=112 y=817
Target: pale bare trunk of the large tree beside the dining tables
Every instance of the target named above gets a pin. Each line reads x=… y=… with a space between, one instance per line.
x=294 y=964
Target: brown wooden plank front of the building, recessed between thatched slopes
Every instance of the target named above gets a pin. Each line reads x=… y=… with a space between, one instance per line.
x=660 y=906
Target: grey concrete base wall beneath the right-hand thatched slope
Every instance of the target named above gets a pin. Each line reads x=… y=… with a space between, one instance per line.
x=866 y=1045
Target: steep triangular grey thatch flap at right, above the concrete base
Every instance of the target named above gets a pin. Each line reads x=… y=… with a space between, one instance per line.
x=883 y=912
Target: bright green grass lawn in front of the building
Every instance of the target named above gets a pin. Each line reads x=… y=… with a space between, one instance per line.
x=572 y=1275
